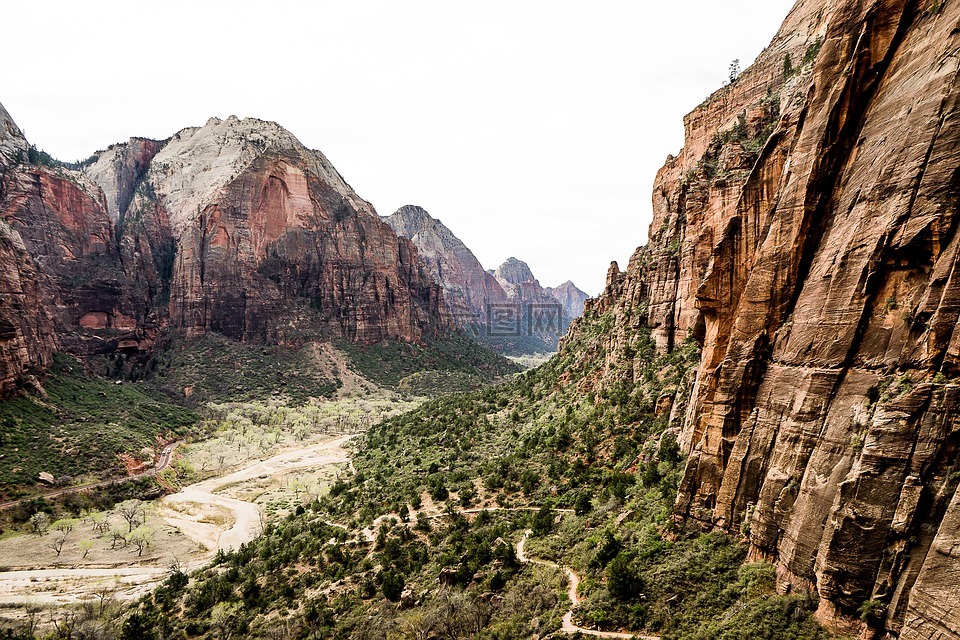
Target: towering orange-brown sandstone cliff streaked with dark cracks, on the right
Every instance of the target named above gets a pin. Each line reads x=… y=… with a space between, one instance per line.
x=806 y=236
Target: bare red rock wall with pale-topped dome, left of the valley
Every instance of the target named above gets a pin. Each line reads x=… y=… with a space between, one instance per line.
x=233 y=227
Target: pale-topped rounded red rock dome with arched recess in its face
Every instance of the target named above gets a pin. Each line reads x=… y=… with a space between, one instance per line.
x=274 y=246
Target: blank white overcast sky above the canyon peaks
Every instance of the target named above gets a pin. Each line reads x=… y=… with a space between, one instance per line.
x=531 y=128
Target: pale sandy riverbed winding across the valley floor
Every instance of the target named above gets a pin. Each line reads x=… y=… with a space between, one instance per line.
x=191 y=526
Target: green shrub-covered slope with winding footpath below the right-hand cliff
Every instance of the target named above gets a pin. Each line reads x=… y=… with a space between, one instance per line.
x=592 y=474
